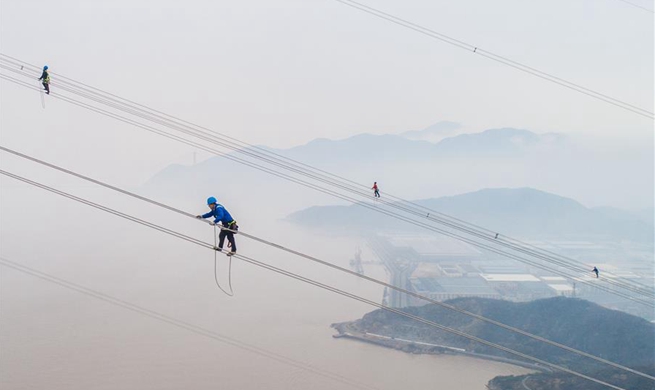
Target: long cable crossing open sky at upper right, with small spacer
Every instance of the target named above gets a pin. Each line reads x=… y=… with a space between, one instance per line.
x=497 y=58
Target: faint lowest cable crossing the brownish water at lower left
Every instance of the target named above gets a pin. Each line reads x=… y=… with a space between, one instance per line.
x=183 y=324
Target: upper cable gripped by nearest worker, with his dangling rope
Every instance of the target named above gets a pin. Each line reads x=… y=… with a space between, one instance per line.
x=328 y=264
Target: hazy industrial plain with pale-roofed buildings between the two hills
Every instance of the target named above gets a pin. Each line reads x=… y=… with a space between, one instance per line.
x=442 y=268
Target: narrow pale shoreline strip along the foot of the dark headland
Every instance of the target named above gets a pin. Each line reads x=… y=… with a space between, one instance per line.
x=347 y=331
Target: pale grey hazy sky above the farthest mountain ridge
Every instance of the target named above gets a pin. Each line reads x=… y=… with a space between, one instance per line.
x=284 y=72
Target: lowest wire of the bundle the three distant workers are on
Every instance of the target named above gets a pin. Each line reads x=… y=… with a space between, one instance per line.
x=350 y=199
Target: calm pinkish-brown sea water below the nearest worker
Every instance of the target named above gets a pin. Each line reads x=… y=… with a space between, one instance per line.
x=54 y=338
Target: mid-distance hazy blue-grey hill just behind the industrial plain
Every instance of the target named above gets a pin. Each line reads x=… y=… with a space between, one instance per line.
x=524 y=212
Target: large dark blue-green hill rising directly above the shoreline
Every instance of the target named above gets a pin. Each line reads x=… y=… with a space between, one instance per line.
x=580 y=324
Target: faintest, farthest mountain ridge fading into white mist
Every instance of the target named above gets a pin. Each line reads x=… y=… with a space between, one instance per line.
x=463 y=163
